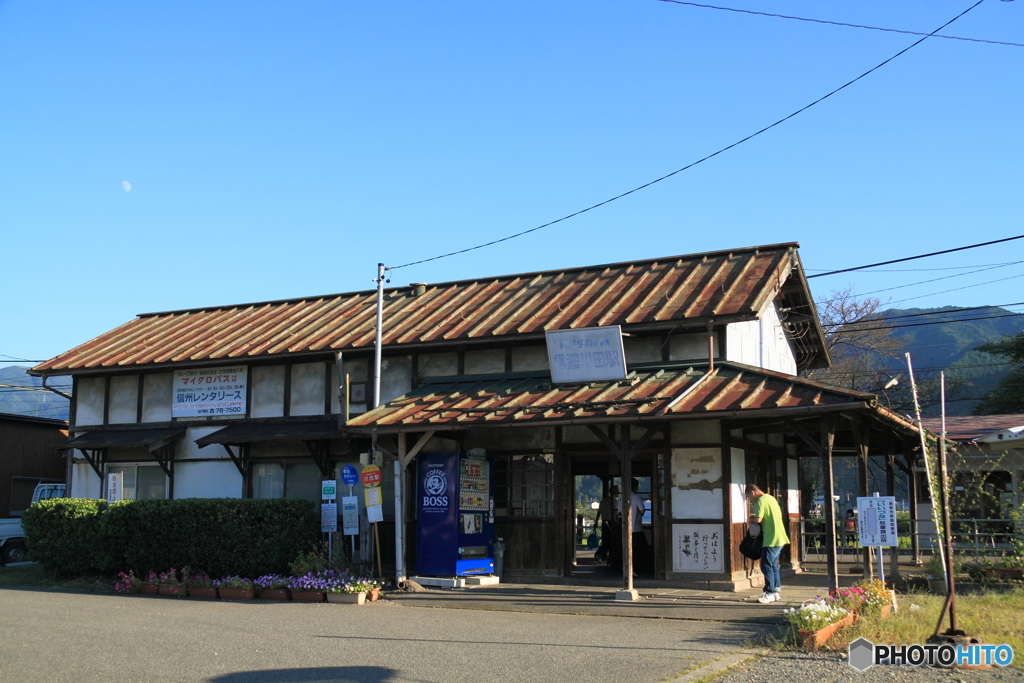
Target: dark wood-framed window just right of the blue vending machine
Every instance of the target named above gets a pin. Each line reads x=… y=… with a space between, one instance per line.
x=525 y=486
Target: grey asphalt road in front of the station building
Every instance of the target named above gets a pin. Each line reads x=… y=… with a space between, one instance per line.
x=56 y=636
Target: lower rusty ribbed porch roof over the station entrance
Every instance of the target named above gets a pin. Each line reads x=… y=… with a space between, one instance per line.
x=659 y=394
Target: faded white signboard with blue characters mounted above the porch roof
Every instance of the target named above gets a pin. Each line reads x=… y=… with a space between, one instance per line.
x=587 y=355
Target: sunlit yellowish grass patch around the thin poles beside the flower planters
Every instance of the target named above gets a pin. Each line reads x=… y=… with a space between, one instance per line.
x=993 y=617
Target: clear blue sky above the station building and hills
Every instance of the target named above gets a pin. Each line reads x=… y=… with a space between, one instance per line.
x=282 y=150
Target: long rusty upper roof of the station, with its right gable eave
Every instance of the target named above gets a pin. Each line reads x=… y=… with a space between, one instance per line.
x=659 y=293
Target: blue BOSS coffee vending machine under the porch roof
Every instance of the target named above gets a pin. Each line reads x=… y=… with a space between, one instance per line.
x=455 y=516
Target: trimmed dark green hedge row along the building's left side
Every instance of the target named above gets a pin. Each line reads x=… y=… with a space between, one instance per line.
x=223 y=537
